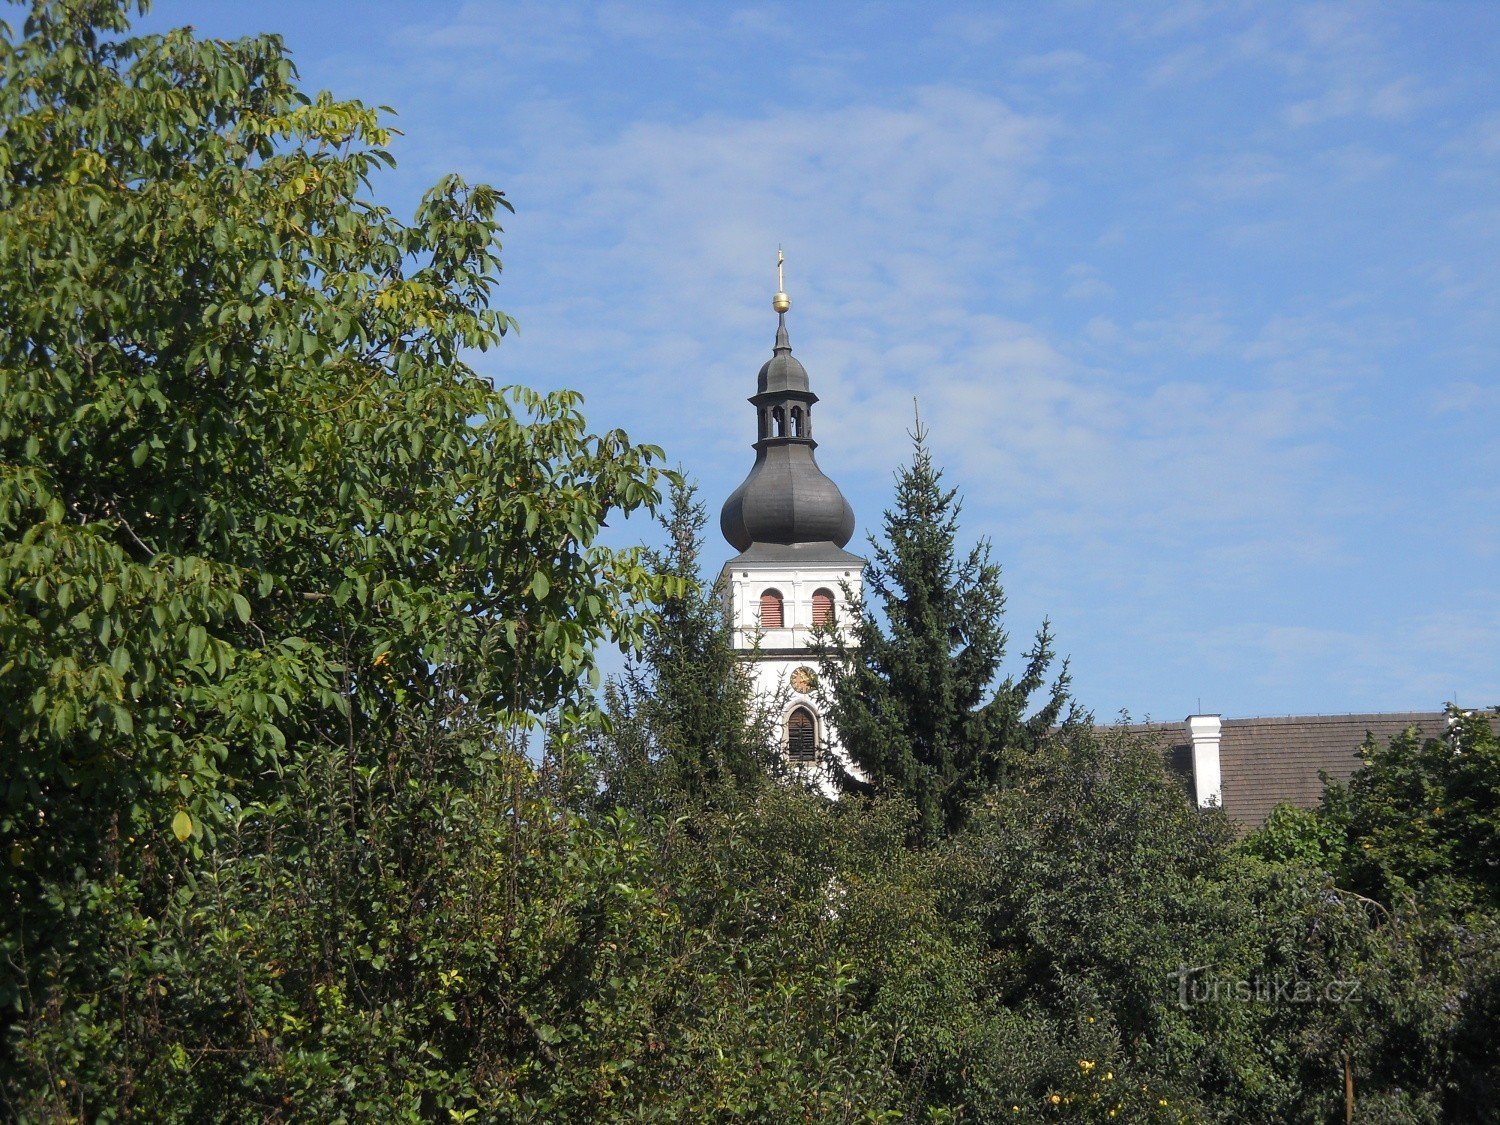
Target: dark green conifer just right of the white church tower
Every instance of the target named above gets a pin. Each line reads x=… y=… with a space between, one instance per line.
x=914 y=700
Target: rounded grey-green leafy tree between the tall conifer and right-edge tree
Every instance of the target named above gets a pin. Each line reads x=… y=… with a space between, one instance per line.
x=1129 y=929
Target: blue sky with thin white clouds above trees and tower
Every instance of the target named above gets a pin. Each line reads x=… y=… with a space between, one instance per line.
x=1201 y=302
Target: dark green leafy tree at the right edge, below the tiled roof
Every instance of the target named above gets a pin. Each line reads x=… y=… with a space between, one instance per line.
x=1412 y=838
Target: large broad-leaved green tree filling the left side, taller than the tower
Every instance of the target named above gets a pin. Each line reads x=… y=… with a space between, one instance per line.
x=254 y=503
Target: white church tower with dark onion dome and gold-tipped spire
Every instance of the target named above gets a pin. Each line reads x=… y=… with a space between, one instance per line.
x=790 y=524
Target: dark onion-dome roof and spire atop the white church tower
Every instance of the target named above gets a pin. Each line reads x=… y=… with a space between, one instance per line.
x=787 y=511
